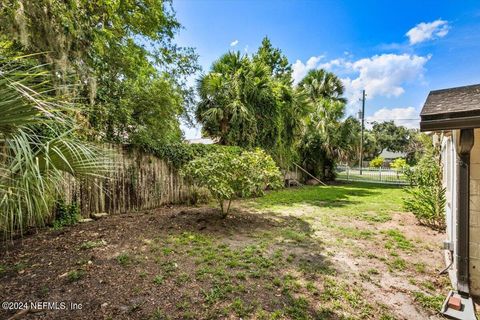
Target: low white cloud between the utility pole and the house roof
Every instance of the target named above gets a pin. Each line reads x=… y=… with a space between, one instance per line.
x=408 y=117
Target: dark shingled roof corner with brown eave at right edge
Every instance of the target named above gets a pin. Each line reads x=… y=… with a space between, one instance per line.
x=453 y=108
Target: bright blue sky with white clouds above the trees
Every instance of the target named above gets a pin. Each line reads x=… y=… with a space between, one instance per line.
x=396 y=51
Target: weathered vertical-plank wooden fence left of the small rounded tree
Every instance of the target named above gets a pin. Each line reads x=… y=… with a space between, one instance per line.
x=140 y=181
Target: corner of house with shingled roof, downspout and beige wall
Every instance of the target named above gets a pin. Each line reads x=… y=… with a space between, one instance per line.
x=454 y=117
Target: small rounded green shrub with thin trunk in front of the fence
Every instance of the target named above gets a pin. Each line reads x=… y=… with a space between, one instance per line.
x=227 y=175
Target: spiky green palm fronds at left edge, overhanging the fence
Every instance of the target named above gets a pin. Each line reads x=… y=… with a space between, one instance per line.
x=37 y=149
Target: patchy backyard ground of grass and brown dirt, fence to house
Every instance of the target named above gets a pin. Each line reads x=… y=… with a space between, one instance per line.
x=346 y=251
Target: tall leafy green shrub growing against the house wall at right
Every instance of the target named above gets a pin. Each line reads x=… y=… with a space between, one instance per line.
x=426 y=195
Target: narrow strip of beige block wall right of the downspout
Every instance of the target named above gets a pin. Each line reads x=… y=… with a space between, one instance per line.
x=475 y=216
